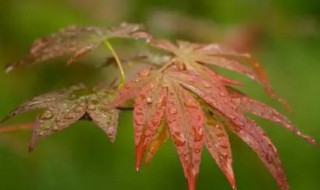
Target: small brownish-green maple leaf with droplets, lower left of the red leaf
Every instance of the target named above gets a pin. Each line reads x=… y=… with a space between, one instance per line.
x=64 y=107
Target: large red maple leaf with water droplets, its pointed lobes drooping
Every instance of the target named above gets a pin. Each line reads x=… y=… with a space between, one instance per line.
x=193 y=105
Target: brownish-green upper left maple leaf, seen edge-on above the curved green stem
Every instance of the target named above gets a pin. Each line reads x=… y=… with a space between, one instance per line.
x=76 y=41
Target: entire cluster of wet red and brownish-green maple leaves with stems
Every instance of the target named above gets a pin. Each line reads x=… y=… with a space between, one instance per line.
x=180 y=95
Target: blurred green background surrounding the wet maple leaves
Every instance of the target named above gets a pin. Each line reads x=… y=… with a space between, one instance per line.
x=284 y=35
